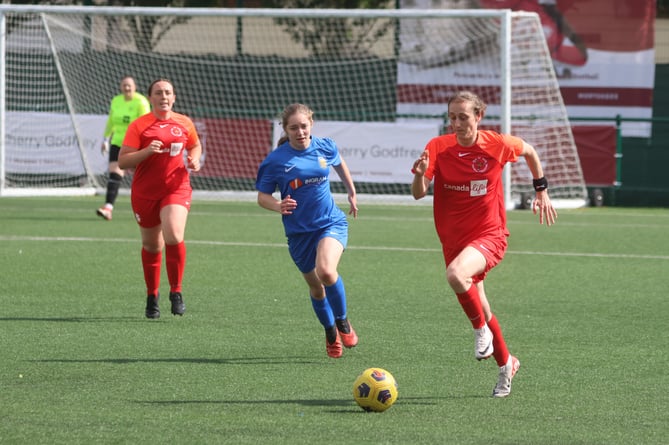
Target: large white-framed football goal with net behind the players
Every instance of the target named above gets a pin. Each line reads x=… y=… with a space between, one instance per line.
x=377 y=80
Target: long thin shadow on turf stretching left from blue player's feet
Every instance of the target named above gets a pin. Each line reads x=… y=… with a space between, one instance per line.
x=206 y=361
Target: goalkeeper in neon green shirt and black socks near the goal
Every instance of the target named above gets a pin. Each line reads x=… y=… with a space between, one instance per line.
x=124 y=108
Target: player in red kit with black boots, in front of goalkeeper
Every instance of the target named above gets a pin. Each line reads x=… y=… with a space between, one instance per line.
x=161 y=192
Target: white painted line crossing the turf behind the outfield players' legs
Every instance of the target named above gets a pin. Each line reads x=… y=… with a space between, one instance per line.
x=373 y=248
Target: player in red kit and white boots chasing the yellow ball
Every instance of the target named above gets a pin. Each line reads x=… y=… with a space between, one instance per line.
x=470 y=215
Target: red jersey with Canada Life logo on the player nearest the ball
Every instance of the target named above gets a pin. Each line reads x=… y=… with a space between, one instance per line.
x=468 y=190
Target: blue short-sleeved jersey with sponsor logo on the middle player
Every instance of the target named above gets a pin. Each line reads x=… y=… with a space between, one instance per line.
x=303 y=174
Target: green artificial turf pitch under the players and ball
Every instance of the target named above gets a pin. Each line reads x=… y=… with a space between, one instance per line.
x=583 y=305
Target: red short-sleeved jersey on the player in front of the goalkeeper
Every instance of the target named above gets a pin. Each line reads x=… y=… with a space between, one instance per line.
x=161 y=173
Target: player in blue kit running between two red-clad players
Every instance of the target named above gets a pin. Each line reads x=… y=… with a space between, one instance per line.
x=317 y=230
